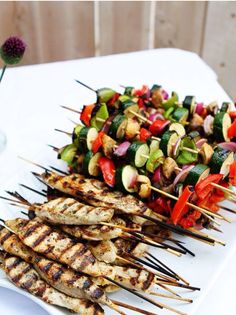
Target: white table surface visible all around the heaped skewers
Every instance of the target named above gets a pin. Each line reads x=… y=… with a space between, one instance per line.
x=29 y=103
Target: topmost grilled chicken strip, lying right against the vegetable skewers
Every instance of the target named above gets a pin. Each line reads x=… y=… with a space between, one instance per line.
x=95 y=193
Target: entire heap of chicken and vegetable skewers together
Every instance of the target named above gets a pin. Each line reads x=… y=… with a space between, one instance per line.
x=140 y=166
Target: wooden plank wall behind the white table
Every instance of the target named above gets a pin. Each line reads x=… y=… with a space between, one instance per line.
x=68 y=30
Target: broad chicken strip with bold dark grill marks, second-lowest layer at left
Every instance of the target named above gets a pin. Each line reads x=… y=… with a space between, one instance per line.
x=56 y=246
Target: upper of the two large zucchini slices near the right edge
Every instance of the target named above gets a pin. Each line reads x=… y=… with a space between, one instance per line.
x=221 y=124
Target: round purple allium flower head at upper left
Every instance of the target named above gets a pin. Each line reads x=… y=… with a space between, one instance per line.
x=12 y=50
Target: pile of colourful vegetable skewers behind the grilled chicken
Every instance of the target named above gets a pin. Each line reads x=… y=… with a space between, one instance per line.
x=178 y=157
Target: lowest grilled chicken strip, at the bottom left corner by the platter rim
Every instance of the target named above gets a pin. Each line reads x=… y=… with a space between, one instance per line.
x=24 y=276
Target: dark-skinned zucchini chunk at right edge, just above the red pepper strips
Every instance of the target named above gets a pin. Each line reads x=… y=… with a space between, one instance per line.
x=221 y=161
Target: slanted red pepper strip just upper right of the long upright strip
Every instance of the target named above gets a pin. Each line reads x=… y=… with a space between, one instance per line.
x=204 y=187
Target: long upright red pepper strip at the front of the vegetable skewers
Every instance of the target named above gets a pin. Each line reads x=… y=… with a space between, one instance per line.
x=180 y=208
